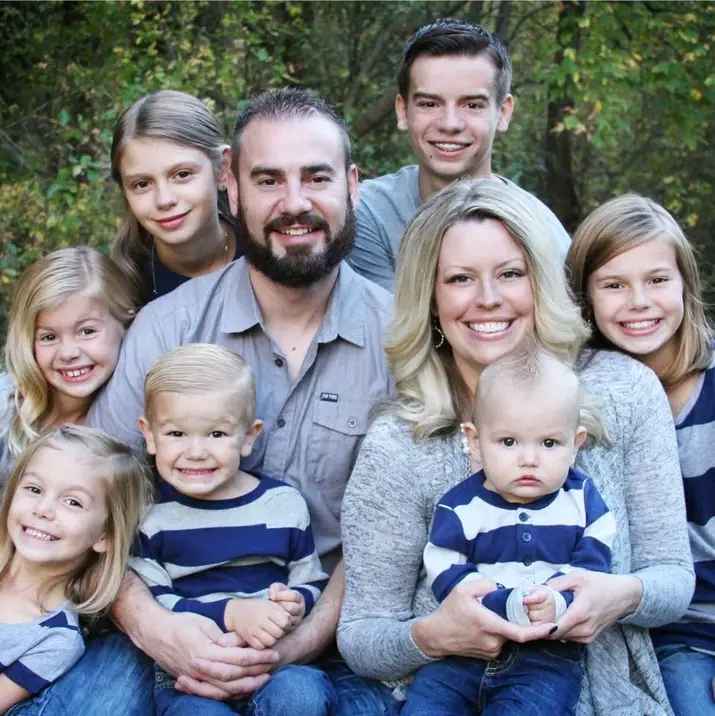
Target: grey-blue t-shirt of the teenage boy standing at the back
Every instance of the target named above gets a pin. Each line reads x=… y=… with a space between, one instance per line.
x=388 y=204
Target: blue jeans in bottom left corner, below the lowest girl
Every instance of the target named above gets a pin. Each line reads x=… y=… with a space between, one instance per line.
x=113 y=678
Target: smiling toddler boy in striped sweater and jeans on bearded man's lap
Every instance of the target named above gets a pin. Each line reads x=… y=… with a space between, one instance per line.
x=220 y=542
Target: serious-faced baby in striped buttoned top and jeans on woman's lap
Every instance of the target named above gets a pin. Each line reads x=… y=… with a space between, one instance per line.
x=527 y=516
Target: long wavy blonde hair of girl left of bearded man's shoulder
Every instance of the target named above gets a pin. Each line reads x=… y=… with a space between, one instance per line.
x=44 y=286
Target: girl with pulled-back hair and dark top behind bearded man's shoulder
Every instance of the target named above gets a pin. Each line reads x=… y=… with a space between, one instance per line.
x=172 y=164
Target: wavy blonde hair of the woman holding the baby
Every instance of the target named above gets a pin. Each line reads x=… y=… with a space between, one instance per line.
x=430 y=392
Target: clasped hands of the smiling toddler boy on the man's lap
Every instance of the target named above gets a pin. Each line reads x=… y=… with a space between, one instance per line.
x=260 y=623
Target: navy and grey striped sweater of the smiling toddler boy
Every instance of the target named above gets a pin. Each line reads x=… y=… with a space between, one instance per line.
x=196 y=555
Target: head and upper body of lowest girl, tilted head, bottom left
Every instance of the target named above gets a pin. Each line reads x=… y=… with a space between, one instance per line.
x=67 y=520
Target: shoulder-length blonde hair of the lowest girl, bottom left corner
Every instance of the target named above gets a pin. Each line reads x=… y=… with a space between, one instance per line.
x=94 y=584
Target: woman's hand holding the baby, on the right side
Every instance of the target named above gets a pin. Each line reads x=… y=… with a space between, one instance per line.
x=600 y=600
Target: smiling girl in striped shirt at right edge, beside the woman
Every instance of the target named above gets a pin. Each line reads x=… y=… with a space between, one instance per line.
x=636 y=276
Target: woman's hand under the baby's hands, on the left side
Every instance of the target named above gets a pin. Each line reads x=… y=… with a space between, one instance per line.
x=461 y=626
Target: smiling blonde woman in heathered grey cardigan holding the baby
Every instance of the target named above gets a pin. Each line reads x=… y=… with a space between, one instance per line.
x=477 y=274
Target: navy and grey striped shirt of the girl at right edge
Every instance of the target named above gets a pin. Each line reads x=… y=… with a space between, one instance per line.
x=695 y=429
